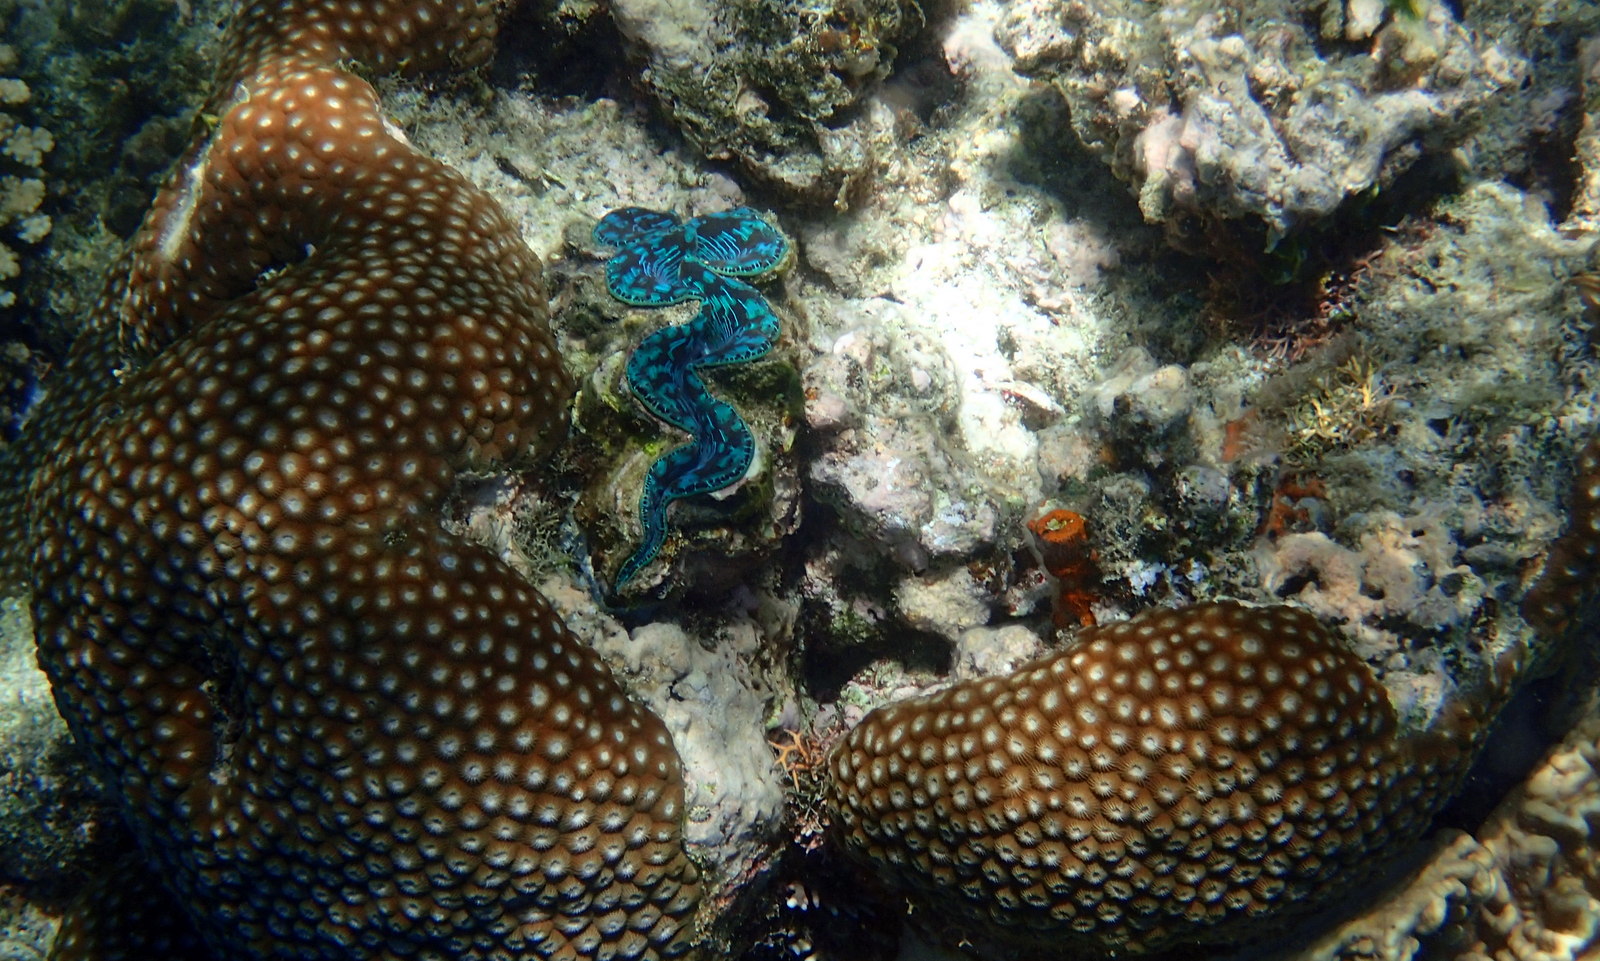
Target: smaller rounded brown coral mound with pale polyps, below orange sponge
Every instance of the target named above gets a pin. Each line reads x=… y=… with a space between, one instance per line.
x=1185 y=776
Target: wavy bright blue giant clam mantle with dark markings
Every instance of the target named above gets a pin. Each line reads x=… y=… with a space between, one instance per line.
x=666 y=261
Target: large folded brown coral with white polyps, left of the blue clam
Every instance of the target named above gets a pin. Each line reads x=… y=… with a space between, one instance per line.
x=335 y=730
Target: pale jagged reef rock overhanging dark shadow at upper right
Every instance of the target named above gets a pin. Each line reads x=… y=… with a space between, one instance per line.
x=1276 y=111
